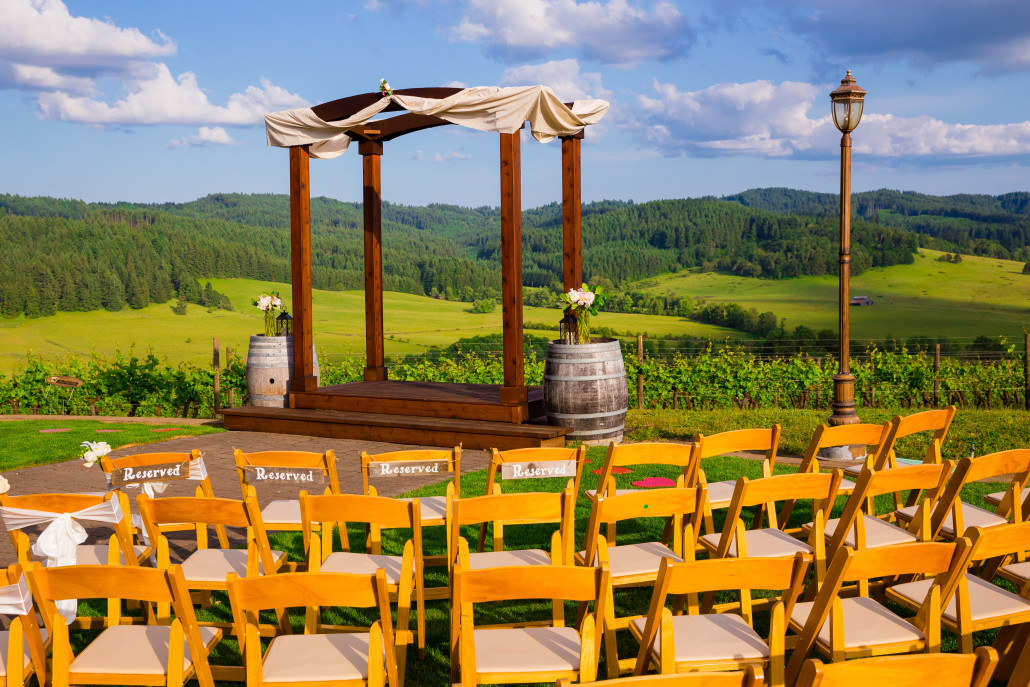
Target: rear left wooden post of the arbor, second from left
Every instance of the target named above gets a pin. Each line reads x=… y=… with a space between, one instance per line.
x=375 y=366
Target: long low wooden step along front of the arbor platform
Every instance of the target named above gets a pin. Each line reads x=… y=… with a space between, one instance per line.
x=397 y=429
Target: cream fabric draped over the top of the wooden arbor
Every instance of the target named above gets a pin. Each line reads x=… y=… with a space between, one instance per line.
x=492 y=110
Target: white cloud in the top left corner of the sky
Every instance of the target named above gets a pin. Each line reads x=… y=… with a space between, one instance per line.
x=44 y=32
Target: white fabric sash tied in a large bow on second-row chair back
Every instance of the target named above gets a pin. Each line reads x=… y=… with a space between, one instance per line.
x=57 y=544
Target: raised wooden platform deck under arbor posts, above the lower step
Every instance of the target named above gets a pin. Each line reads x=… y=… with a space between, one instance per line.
x=471 y=402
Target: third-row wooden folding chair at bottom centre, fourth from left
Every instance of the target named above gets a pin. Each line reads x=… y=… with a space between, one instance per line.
x=528 y=655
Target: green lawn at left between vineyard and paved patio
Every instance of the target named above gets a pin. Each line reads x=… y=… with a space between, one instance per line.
x=26 y=442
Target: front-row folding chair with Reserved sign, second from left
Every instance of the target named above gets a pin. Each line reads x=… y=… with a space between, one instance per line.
x=307 y=470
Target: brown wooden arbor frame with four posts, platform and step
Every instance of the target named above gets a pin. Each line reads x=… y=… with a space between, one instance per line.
x=479 y=416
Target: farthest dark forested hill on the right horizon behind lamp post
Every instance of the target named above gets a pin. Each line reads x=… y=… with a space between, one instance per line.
x=995 y=226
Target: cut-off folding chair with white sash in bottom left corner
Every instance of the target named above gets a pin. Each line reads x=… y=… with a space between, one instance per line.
x=23 y=651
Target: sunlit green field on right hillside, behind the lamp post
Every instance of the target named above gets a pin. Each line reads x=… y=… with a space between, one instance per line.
x=979 y=296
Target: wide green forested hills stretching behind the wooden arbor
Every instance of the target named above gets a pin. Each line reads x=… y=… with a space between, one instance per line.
x=66 y=255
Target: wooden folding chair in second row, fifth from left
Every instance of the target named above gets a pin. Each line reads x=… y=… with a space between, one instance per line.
x=637 y=565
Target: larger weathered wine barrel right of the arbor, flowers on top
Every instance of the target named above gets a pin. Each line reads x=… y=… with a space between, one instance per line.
x=586 y=390
